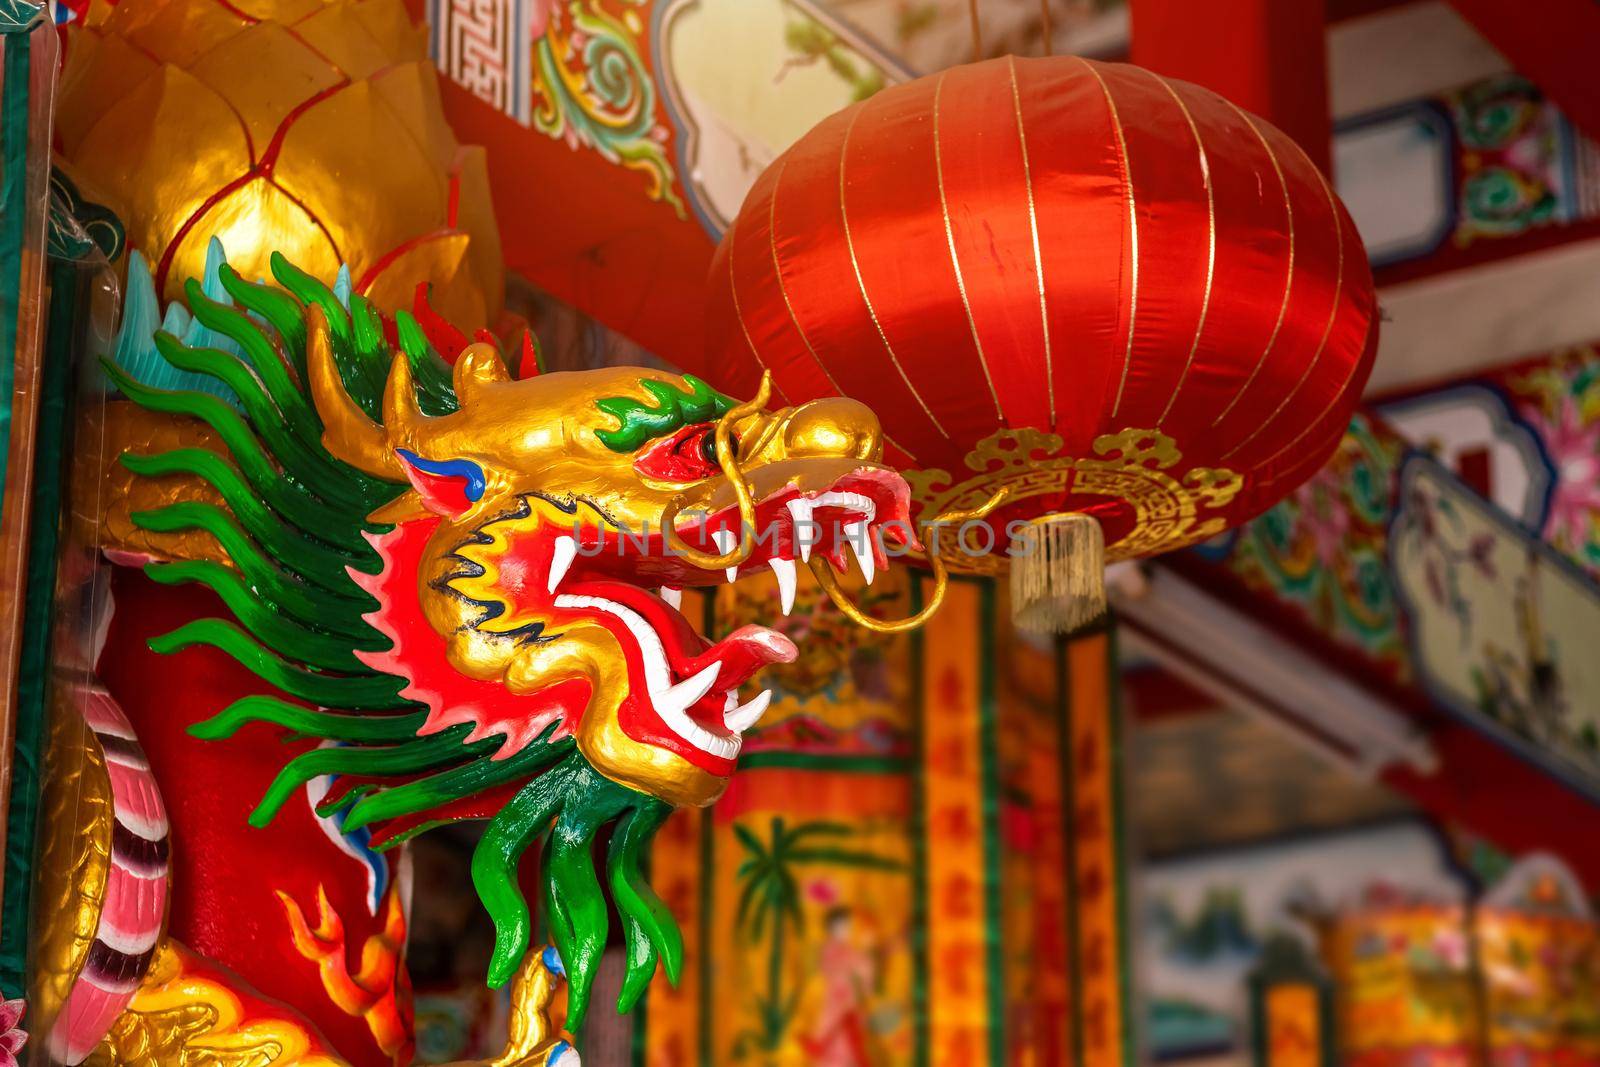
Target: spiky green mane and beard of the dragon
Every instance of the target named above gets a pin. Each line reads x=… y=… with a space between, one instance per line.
x=294 y=522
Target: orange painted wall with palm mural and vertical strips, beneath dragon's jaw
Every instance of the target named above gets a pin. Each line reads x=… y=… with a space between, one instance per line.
x=887 y=879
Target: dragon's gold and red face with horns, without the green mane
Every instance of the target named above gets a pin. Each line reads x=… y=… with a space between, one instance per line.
x=551 y=524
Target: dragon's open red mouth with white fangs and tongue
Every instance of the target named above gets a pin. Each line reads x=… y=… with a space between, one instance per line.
x=689 y=682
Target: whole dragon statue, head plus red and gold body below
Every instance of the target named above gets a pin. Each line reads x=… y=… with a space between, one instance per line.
x=452 y=585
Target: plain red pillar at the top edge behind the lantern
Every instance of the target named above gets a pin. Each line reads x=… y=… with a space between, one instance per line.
x=1268 y=57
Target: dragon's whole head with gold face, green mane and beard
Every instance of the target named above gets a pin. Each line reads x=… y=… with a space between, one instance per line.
x=511 y=647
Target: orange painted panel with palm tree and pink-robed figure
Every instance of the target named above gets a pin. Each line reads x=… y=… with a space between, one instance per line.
x=814 y=877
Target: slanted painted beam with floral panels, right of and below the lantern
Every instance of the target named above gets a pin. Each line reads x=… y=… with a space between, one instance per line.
x=1457 y=551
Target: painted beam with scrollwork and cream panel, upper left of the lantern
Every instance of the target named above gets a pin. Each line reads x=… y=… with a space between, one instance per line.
x=654 y=89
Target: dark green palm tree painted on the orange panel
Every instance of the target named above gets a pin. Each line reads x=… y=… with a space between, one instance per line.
x=770 y=906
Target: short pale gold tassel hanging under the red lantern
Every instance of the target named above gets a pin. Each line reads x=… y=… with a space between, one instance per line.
x=1058 y=575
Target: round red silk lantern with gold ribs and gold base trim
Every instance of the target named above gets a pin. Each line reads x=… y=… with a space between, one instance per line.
x=1113 y=294
